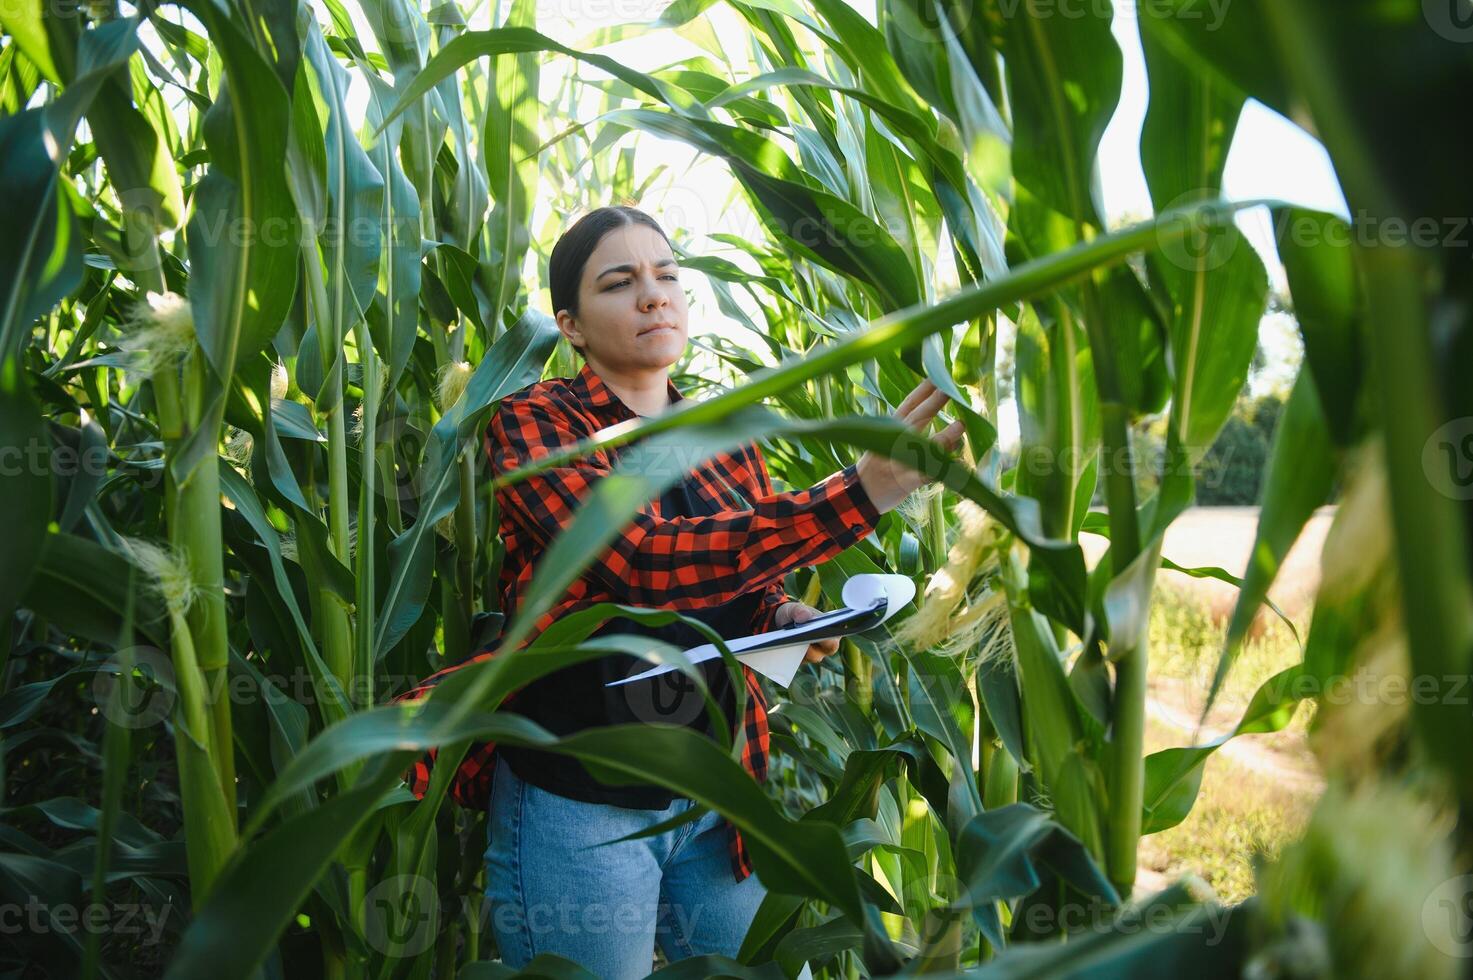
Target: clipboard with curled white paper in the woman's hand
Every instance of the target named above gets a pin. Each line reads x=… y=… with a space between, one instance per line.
x=868 y=602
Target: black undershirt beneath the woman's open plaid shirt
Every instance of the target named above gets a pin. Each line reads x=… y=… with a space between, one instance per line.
x=575 y=698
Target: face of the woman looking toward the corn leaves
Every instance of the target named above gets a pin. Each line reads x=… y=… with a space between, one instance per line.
x=633 y=313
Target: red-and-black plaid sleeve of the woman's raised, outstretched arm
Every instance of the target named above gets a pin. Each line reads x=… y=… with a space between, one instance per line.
x=677 y=562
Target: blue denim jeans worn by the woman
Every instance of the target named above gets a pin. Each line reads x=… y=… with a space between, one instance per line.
x=556 y=885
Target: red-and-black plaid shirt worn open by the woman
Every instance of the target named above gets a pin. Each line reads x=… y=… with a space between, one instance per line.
x=678 y=564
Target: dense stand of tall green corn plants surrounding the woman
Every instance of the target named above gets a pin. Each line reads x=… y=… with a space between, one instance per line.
x=251 y=338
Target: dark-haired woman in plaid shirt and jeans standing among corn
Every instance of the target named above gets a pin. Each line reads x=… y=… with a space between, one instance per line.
x=714 y=547
